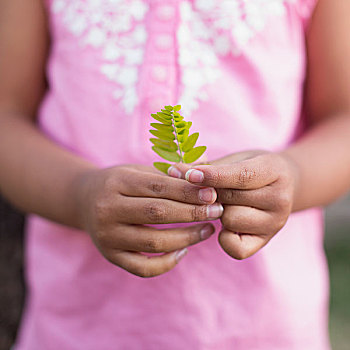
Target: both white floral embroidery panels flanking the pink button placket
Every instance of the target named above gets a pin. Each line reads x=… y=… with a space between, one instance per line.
x=208 y=30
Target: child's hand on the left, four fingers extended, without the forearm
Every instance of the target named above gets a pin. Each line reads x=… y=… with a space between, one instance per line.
x=116 y=202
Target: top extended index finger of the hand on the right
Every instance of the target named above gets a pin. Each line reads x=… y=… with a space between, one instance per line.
x=249 y=174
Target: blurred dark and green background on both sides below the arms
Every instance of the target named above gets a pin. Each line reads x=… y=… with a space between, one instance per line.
x=337 y=245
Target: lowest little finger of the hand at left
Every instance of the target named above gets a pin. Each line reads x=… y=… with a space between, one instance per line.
x=145 y=266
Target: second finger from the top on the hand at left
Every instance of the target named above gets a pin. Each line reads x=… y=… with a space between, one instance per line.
x=163 y=211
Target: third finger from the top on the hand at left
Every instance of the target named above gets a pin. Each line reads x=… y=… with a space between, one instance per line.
x=150 y=240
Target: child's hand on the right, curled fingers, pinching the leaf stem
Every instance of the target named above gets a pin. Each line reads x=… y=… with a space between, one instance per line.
x=256 y=189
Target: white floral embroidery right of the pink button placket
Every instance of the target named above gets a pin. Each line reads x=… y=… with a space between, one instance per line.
x=211 y=29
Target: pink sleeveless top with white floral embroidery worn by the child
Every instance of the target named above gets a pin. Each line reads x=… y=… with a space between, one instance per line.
x=237 y=67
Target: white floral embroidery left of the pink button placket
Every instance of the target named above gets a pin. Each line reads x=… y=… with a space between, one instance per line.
x=116 y=28
